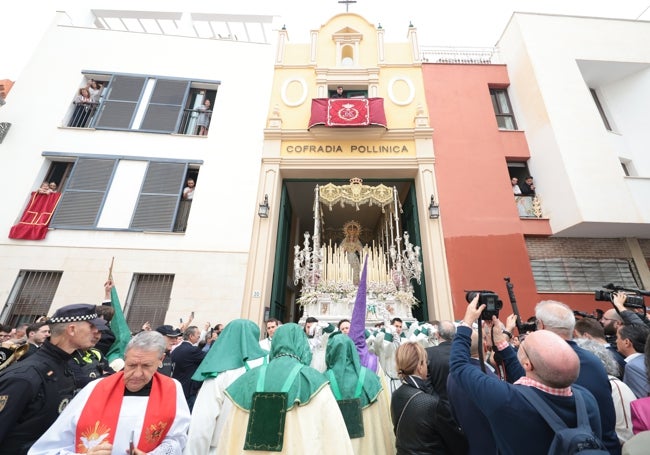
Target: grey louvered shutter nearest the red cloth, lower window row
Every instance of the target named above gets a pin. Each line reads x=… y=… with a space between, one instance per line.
x=80 y=203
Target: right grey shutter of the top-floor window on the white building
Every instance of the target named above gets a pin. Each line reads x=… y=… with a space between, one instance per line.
x=165 y=106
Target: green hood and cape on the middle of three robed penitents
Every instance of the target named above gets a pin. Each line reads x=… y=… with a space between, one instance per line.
x=288 y=349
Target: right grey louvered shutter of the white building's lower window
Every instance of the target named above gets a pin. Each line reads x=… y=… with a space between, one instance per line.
x=158 y=202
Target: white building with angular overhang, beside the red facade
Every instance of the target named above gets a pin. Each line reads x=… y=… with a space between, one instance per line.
x=580 y=88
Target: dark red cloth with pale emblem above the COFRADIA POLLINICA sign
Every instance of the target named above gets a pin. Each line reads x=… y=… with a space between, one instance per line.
x=347 y=112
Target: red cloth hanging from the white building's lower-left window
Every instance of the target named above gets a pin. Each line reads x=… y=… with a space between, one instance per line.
x=36 y=218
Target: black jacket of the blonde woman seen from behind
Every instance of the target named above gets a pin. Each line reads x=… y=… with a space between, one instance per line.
x=424 y=425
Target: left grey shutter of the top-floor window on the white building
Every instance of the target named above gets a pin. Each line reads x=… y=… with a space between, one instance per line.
x=120 y=104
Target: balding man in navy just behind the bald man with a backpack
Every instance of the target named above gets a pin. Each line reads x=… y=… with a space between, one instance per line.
x=559 y=319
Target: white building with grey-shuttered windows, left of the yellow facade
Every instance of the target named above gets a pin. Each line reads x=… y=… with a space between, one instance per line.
x=121 y=167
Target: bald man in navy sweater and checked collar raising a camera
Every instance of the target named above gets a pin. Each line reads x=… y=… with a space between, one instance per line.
x=550 y=365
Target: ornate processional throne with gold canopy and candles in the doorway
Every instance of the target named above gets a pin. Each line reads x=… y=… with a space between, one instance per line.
x=328 y=267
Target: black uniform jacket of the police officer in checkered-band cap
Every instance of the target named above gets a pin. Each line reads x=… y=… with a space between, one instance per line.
x=33 y=393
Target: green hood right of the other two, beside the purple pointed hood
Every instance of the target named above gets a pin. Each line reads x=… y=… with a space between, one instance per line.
x=342 y=359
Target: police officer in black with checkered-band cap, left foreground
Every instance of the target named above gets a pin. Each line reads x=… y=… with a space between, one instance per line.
x=33 y=392
